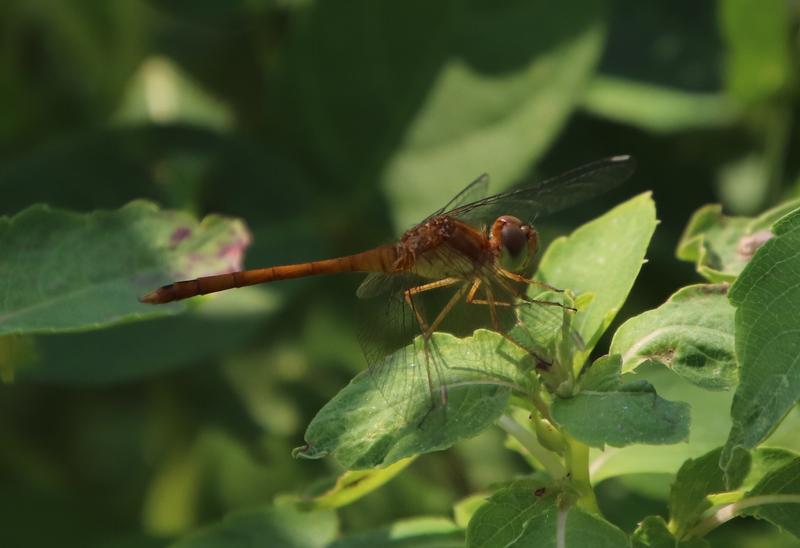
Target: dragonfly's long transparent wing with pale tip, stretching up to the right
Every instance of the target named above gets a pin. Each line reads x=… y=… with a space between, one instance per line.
x=550 y=195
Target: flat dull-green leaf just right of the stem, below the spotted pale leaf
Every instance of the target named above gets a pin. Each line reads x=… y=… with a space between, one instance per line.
x=621 y=414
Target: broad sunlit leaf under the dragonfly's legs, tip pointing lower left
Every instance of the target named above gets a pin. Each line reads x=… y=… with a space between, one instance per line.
x=388 y=412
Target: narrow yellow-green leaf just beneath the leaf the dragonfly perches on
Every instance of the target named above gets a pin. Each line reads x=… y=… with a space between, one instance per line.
x=354 y=484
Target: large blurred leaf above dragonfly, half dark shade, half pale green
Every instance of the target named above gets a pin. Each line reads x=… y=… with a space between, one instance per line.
x=474 y=90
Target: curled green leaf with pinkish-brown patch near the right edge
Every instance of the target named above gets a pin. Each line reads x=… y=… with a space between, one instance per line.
x=721 y=246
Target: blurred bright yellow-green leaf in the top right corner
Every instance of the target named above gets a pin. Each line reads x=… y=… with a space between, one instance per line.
x=758 y=36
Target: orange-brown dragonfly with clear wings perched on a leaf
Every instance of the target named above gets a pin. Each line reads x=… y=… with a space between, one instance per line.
x=481 y=247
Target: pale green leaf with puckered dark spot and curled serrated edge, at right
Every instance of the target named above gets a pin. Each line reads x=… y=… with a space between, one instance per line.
x=692 y=334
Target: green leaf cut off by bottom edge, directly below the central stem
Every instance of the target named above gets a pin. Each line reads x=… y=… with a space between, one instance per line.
x=526 y=514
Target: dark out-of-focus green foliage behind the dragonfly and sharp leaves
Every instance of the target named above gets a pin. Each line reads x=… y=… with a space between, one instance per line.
x=329 y=127
